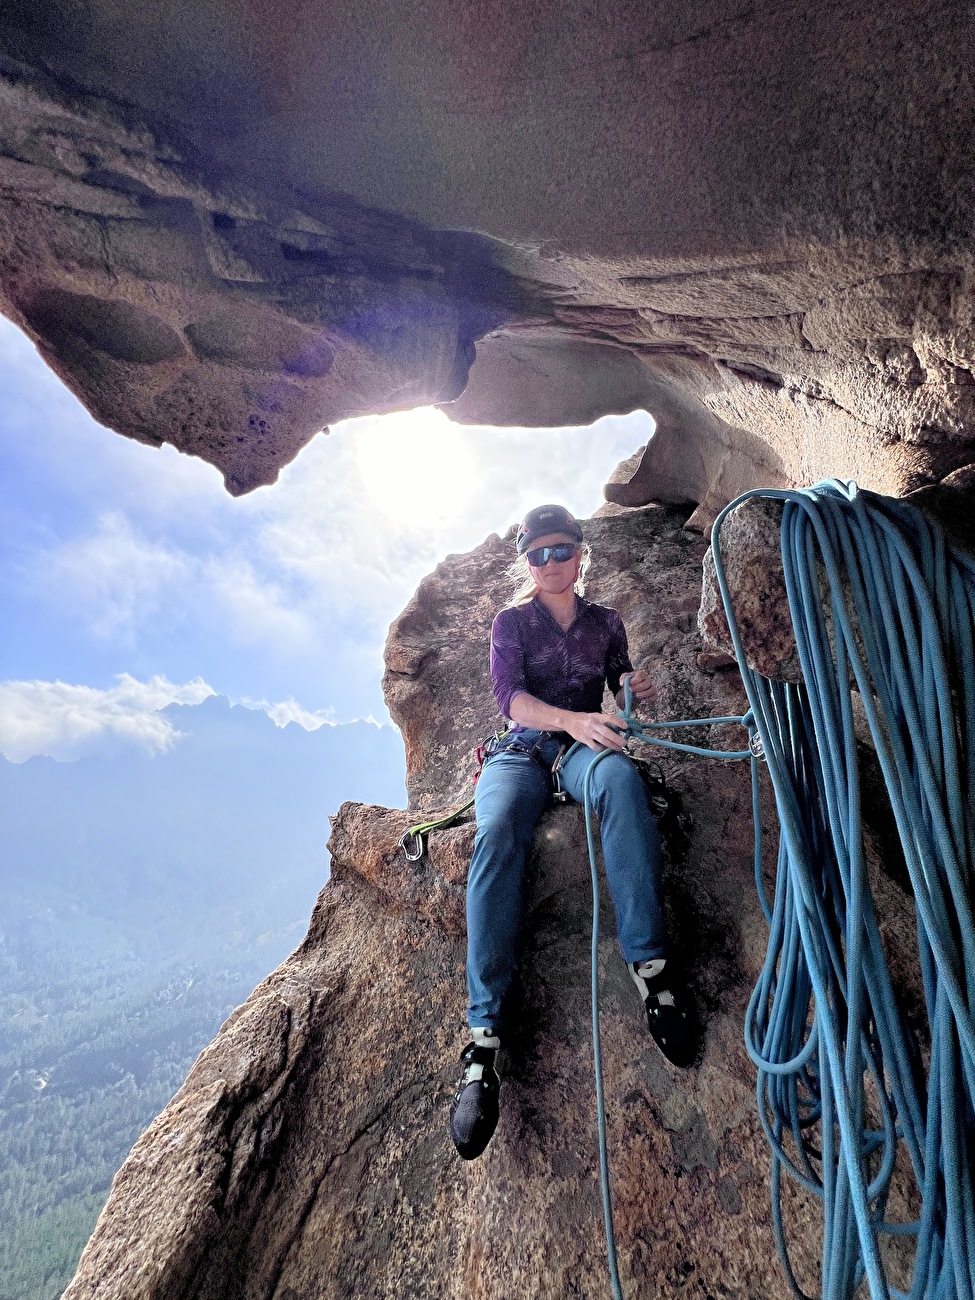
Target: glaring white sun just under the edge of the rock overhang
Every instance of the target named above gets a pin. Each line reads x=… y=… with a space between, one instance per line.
x=417 y=466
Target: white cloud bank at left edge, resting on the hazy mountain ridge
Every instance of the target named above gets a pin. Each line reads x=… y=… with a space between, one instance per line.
x=68 y=722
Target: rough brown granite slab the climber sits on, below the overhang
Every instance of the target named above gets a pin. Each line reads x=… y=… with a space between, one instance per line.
x=307 y=1154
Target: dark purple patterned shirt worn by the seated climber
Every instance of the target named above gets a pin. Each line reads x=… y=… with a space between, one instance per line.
x=567 y=670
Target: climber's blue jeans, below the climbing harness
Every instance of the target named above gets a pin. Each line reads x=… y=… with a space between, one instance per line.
x=512 y=795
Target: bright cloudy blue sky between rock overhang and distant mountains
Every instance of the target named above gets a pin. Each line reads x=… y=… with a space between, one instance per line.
x=131 y=579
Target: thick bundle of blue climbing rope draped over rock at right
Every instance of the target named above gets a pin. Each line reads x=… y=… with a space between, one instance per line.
x=842 y=1086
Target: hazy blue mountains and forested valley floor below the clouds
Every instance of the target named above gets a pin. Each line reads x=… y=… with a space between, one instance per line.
x=145 y=899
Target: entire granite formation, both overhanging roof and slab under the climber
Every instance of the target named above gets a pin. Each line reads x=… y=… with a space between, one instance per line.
x=227 y=228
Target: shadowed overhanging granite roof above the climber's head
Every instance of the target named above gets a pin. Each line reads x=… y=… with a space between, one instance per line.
x=227 y=229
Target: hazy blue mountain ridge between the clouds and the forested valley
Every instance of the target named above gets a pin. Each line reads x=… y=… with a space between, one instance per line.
x=236 y=811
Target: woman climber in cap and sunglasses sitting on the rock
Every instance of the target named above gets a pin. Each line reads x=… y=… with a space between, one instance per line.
x=553 y=655
